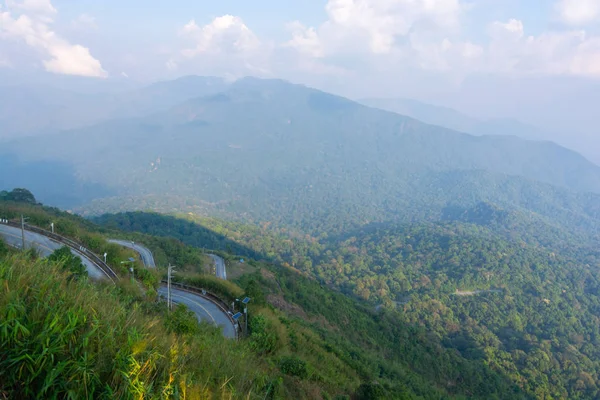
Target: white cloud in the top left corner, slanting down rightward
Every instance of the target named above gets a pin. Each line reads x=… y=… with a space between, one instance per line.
x=33 y=27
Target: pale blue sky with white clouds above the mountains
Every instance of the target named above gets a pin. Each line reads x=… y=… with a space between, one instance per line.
x=488 y=58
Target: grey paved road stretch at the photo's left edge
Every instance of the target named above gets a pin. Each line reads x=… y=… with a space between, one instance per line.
x=45 y=246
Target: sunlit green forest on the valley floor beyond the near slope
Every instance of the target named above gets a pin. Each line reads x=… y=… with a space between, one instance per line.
x=509 y=289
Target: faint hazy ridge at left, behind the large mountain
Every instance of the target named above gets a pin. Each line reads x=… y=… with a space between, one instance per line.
x=31 y=110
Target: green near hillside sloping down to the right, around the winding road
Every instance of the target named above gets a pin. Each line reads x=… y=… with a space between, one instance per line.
x=306 y=341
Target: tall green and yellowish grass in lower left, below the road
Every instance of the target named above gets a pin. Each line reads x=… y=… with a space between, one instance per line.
x=73 y=340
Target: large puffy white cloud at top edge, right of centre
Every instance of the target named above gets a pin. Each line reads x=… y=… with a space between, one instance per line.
x=395 y=33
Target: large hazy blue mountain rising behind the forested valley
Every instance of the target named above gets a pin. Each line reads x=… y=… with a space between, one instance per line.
x=271 y=150
